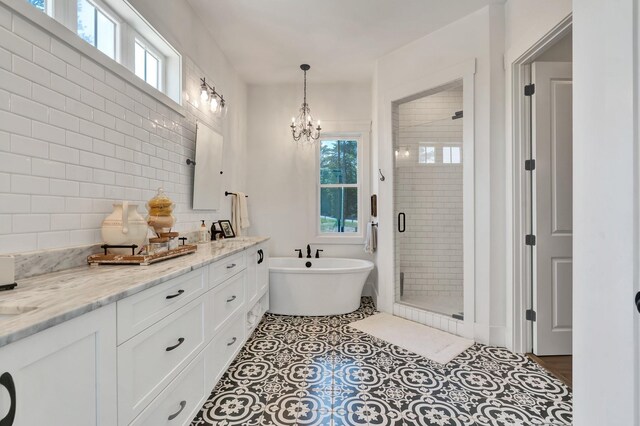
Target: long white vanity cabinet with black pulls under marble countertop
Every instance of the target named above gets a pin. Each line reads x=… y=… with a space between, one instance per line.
x=149 y=359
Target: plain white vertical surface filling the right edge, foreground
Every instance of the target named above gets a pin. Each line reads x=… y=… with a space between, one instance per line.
x=606 y=371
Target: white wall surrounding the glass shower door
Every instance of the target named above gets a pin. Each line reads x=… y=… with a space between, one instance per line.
x=478 y=36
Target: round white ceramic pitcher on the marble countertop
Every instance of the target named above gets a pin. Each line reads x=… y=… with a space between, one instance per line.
x=124 y=226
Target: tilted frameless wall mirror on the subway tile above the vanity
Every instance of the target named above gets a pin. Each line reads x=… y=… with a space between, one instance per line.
x=207 y=179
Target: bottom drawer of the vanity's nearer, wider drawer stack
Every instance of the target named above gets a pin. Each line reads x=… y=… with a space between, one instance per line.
x=180 y=401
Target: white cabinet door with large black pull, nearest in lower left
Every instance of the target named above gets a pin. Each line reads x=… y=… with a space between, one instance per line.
x=65 y=375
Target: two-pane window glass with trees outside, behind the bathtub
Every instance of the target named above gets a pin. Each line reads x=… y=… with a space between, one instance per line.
x=339 y=186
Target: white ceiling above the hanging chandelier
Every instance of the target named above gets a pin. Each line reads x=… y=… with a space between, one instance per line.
x=267 y=40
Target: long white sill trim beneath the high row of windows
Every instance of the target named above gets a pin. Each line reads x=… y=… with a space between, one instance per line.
x=62 y=33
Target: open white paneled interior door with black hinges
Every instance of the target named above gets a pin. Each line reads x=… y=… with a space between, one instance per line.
x=552 y=201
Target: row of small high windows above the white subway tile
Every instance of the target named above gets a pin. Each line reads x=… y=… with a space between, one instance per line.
x=116 y=29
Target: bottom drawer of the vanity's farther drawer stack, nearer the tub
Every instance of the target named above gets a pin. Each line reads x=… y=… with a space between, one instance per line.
x=224 y=347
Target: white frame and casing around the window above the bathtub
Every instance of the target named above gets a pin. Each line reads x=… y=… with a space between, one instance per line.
x=361 y=134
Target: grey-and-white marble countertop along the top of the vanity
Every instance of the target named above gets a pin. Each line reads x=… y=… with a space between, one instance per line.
x=60 y=296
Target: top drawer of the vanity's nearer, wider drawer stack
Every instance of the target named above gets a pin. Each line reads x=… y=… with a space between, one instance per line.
x=140 y=311
